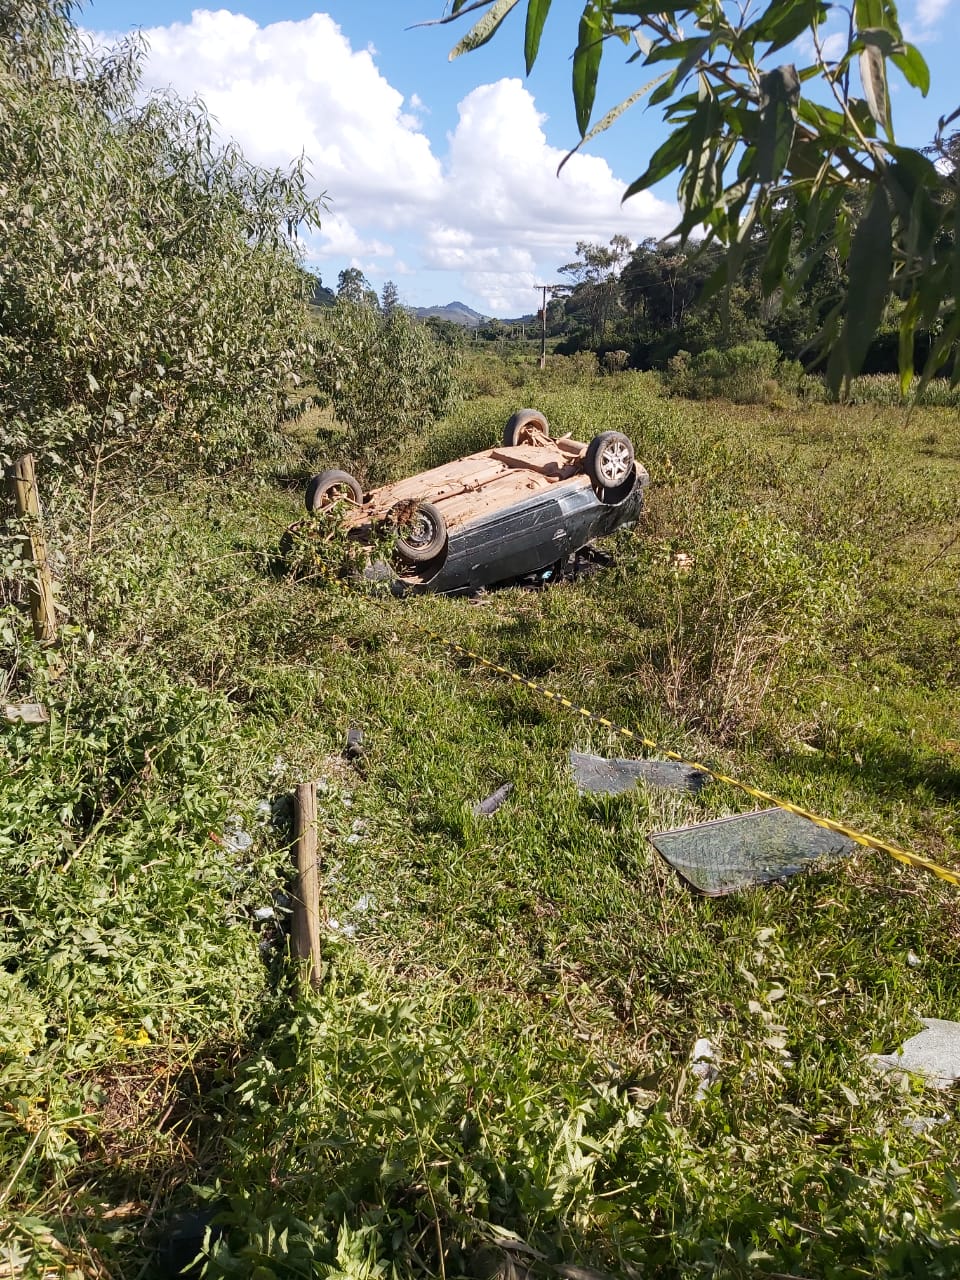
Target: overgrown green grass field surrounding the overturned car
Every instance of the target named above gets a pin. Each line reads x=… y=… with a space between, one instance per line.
x=496 y=1078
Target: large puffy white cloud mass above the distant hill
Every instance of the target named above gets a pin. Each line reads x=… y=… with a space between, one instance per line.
x=488 y=218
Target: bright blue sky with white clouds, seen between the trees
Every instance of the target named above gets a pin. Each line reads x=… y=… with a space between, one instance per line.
x=444 y=176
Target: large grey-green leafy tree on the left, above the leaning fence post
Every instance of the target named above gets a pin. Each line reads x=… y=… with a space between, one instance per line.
x=150 y=294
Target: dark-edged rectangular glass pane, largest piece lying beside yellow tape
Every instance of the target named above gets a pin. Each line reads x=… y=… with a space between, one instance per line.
x=729 y=854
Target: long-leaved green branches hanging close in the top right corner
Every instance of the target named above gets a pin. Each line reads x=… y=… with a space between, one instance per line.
x=761 y=144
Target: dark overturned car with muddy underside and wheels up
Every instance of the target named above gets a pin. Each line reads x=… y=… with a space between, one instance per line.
x=497 y=515
